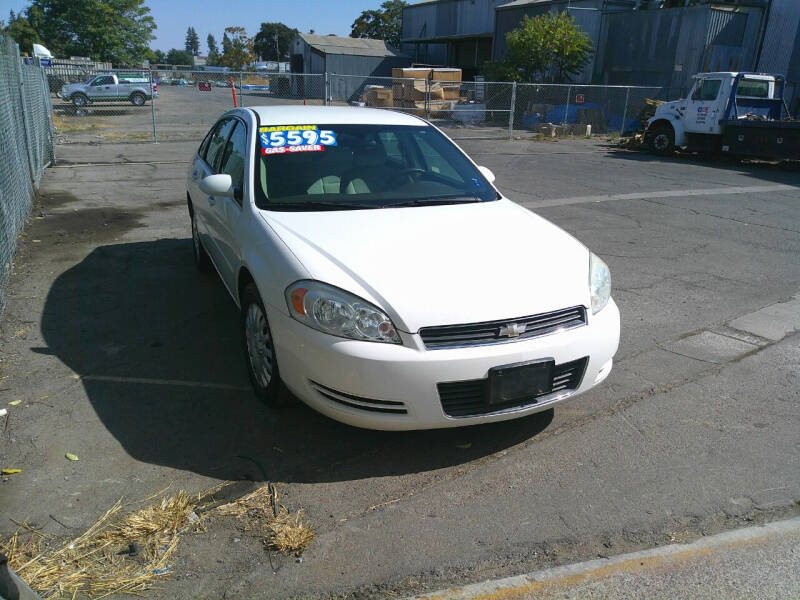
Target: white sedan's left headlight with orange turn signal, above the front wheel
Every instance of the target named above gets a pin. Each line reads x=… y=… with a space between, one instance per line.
x=334 y=311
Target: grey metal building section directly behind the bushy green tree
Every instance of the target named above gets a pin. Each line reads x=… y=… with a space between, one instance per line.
x=588 y=14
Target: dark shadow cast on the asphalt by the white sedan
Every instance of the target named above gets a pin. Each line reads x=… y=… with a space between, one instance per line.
x=142 y=318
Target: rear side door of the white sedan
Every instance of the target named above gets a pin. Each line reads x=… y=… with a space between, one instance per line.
x=205 y=164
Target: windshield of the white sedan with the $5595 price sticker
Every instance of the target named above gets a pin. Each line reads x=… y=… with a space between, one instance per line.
x=340 y=167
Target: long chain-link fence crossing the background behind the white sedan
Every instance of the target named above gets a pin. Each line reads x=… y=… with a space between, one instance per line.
x=96 y=105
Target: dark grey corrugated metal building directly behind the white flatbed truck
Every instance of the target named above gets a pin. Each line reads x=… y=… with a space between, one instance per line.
x=665 y=47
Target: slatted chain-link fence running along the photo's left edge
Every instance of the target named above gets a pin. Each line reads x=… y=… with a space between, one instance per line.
x=26 y=145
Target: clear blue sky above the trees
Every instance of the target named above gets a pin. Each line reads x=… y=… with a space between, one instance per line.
x=173 y=17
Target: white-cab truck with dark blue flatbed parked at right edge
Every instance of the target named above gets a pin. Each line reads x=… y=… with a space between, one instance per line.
x=740 y=114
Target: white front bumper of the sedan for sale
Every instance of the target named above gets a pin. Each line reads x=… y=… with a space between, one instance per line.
x=406 y=376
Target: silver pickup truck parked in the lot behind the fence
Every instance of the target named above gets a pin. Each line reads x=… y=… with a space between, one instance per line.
x=111 y=87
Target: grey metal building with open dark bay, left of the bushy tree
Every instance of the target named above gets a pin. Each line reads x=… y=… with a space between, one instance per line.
x=454 y=33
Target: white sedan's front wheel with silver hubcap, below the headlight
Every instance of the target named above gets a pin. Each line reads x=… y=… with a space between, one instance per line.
x=259 y=351
